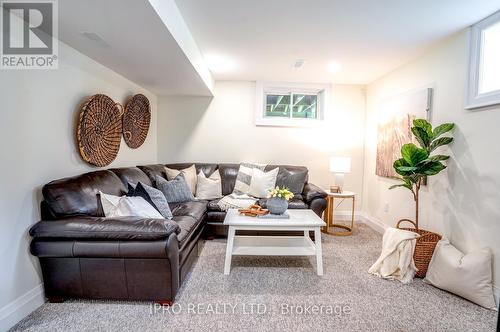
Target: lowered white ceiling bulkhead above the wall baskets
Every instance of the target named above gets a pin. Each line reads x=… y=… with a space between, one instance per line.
x=136 y=42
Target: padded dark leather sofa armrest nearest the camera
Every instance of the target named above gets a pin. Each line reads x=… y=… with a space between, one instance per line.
x=98 y=228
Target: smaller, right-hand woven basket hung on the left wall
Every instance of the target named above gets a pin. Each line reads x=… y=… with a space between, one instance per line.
x=136 y=120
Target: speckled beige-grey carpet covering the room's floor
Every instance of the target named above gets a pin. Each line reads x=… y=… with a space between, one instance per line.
x=280 y=294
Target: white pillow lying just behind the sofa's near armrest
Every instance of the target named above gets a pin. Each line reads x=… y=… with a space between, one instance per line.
x=115 y=206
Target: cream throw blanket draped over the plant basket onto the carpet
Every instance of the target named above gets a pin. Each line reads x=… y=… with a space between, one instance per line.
x=396 y=260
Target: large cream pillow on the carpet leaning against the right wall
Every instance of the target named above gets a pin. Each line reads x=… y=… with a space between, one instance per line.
x=467 y=275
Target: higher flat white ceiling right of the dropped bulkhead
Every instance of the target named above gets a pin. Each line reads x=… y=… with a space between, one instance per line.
x=369 y=38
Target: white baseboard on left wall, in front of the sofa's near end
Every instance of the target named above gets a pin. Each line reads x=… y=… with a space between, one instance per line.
x=13 y=312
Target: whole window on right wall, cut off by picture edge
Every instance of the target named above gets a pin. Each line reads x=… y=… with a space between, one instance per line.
x=484 y=66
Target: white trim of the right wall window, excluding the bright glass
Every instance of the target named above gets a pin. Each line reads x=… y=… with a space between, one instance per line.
x=474 y=98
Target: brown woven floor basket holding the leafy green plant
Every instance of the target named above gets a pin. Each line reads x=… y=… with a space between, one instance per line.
x=424 y=249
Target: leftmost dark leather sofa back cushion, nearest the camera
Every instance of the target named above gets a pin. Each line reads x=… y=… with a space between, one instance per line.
x=78 y=195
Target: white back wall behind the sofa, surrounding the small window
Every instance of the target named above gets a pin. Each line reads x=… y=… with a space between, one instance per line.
x=222 y=129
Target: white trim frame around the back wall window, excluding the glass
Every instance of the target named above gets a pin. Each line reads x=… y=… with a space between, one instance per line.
x=269 y=87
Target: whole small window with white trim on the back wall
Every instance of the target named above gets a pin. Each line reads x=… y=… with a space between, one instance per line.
x=290 y=104
